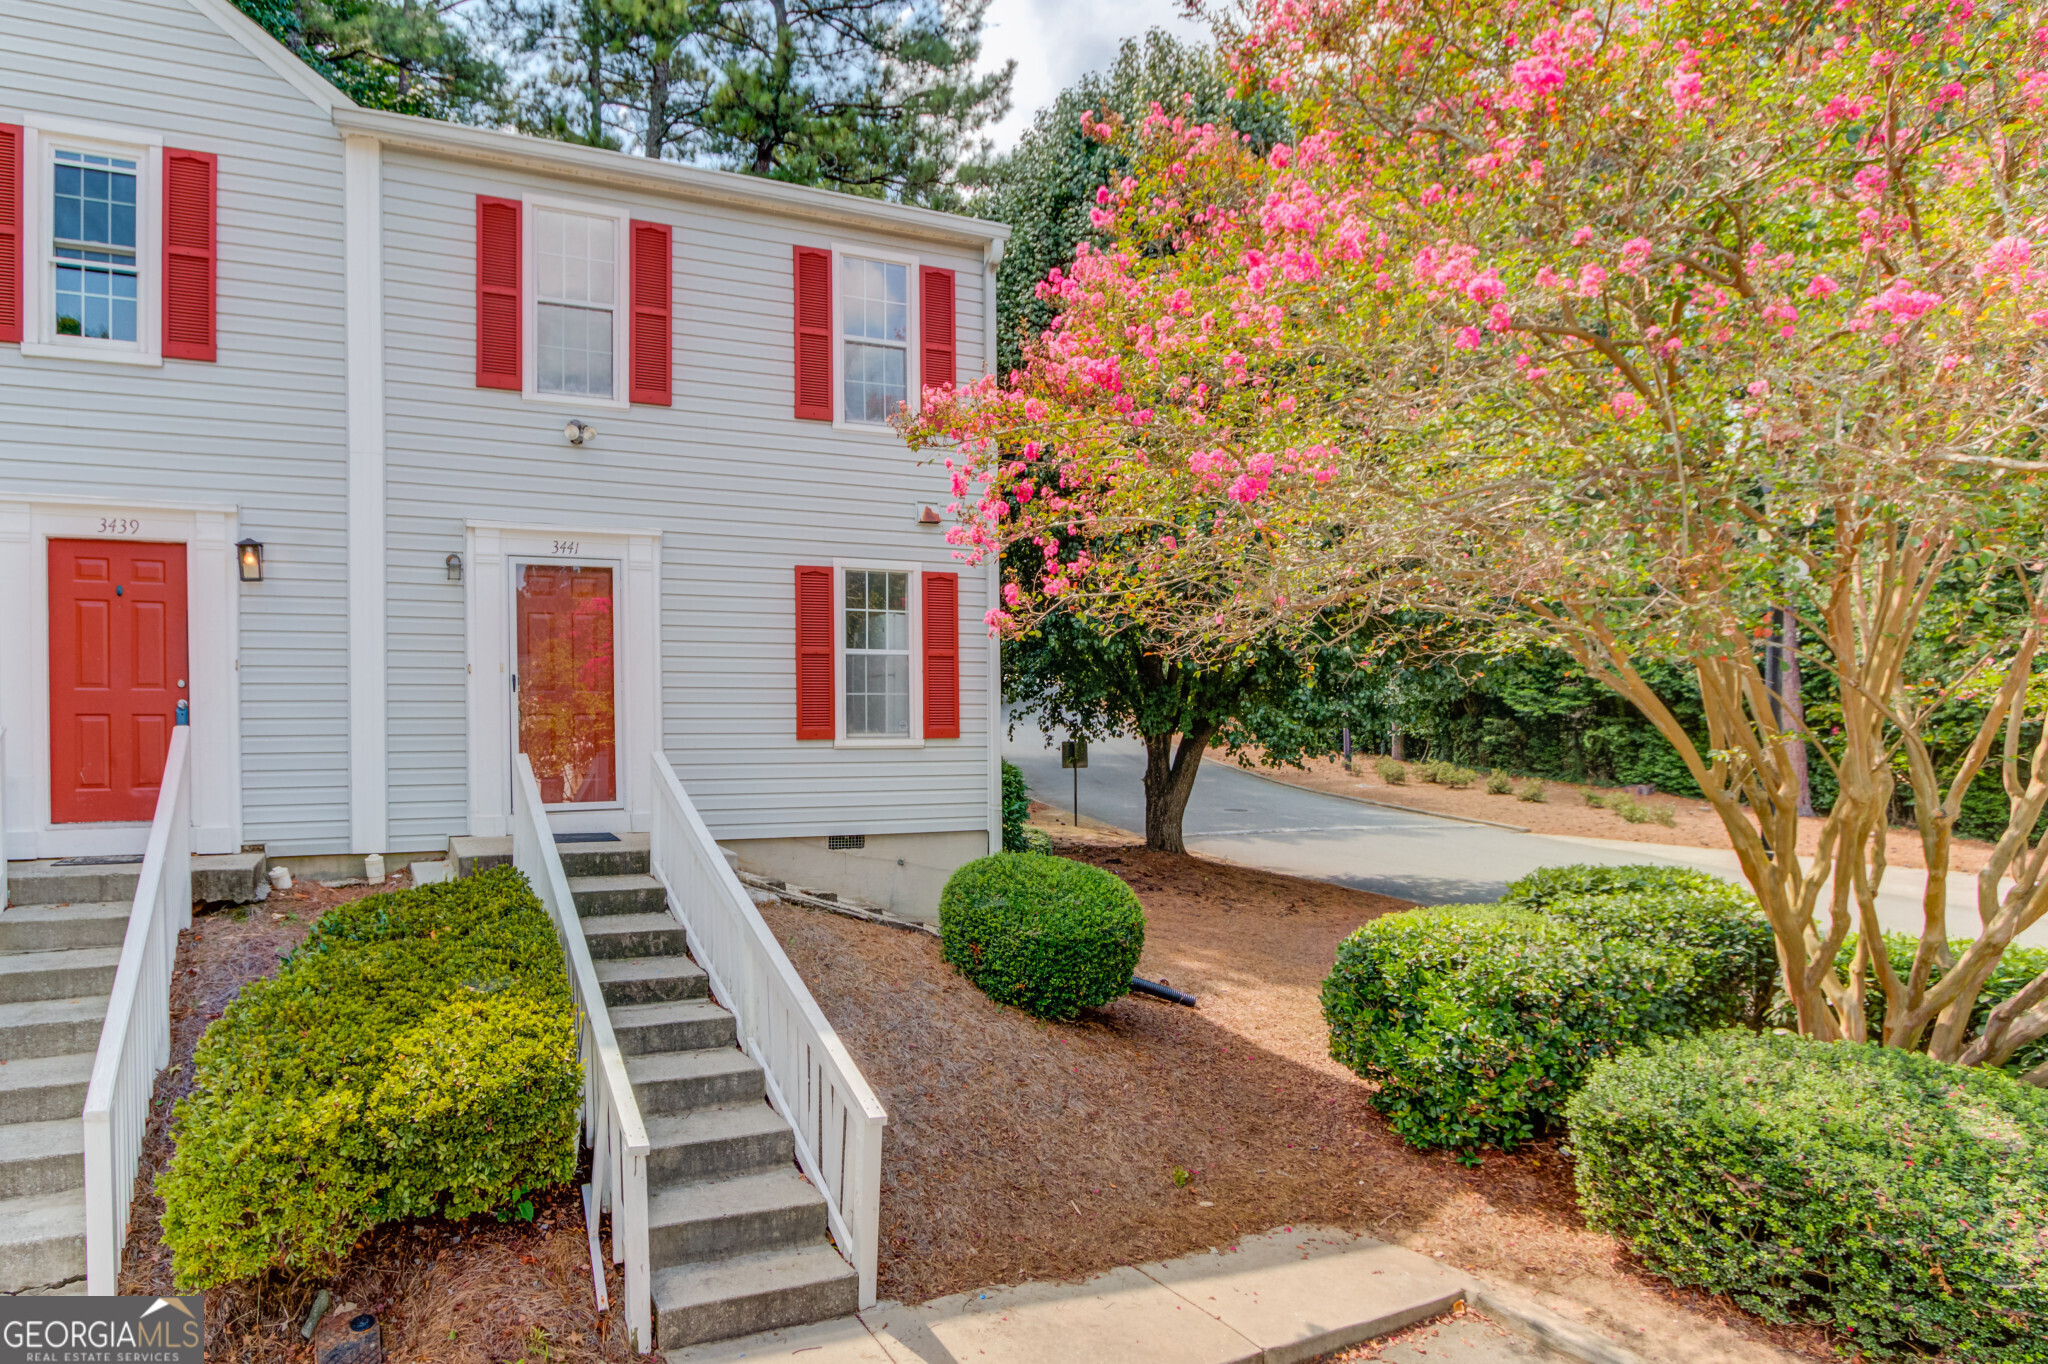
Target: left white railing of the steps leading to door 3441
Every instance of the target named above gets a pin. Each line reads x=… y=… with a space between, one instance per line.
x=613 y=1127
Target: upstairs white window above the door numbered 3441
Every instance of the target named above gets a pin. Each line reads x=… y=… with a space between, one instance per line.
x=577 y=284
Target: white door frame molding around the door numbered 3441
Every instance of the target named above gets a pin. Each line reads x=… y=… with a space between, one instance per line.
x=636 y=679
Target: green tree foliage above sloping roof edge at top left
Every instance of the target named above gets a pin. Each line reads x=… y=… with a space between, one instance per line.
x=409 y=56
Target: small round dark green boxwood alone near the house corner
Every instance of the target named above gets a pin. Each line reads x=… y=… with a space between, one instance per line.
x=1041 y=933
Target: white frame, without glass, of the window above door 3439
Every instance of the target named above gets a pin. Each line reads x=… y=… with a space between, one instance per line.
x=42 y=138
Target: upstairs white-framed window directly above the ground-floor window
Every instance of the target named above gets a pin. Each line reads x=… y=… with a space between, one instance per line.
x=876 y=335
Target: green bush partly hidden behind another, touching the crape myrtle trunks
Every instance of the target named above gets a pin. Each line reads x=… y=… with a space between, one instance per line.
x=1717 y=925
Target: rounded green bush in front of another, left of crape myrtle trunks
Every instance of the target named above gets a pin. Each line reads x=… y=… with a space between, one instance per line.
x=1480 y=1021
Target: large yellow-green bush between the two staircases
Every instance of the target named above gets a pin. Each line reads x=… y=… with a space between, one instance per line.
x=415 y=1058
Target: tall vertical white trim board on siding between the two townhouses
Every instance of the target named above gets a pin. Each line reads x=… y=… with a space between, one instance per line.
x=370 y=790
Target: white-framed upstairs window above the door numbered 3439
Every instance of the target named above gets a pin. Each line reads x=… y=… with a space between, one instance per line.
x=95 y=251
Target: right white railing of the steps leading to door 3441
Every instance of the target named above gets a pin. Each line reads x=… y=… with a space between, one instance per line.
x=812 y=1082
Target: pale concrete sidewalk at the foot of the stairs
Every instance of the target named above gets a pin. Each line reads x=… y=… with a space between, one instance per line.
x=1273 y=1299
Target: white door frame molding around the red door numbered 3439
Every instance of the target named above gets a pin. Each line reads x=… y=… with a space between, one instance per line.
x=212 y=624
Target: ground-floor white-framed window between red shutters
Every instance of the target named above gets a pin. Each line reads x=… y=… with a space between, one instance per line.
x=880 y=675
